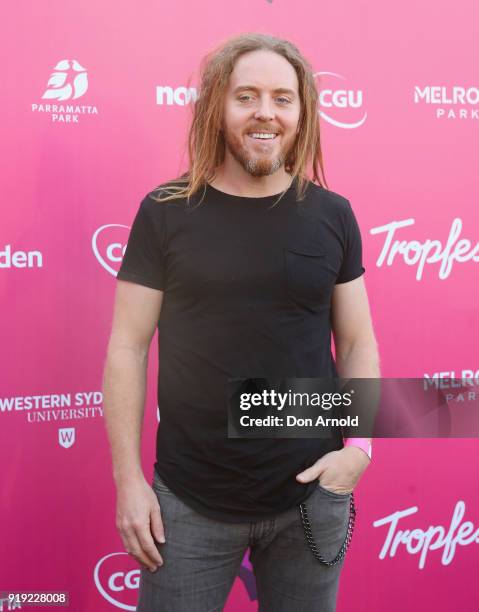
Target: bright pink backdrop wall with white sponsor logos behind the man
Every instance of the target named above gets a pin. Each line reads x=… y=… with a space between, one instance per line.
x=400 y=126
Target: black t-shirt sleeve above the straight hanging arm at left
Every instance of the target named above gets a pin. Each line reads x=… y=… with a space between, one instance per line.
x=143 y=261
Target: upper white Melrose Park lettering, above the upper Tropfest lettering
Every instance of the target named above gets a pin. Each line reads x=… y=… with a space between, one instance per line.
x=449 y=103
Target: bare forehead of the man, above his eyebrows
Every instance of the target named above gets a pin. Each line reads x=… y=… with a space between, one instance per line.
x=263 y=69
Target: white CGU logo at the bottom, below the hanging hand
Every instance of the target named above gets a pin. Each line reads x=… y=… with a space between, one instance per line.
x=116 y=584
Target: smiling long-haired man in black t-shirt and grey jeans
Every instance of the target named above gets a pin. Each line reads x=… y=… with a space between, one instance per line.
x=245 y=266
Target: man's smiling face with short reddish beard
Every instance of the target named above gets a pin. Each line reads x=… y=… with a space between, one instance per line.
x=261 y=112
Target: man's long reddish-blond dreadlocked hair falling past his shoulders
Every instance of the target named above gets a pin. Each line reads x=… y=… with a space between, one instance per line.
x=206 y=146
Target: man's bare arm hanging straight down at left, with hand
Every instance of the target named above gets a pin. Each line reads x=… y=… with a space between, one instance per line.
x=135 y=318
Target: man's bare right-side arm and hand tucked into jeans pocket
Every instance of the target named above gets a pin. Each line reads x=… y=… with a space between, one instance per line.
x=356 y=357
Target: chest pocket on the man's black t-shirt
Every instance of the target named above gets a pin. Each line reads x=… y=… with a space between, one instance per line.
x=308 y=281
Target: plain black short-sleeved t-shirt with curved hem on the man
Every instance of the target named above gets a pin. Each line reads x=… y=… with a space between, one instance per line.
x=247 y=292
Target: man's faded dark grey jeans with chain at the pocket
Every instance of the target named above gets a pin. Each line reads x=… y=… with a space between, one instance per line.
x=202 y=557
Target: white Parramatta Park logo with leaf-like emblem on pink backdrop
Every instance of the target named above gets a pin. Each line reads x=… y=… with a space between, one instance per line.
x=67 y=83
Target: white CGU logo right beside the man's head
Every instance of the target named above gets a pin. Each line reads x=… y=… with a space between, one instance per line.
x=340 y=106
